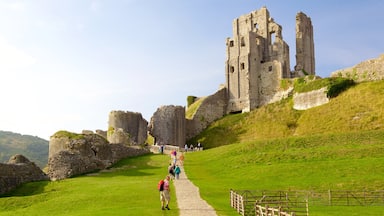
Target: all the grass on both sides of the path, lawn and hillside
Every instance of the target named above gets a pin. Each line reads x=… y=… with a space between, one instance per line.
x=336 y=146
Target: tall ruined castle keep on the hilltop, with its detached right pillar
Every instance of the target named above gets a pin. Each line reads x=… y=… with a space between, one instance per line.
x=257 y=58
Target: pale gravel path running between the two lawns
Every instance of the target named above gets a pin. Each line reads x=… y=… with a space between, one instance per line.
x=188 y=198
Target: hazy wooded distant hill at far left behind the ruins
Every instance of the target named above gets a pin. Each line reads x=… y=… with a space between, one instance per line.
x=32 y=147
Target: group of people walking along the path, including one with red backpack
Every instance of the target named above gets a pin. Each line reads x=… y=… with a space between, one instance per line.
x=173 y=173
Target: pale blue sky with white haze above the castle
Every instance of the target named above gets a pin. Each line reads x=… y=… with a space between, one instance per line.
x=65 y=65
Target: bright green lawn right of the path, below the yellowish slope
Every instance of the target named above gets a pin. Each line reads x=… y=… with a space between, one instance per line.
x=351 y=161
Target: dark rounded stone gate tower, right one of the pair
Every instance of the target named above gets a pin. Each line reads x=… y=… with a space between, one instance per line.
x=167 y=125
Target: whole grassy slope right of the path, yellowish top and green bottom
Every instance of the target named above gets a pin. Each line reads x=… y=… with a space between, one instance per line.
x=336 y=146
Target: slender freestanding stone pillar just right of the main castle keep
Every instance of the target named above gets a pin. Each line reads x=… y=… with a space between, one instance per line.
x=305 y=49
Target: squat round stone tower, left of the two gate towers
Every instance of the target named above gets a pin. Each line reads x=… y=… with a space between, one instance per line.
x=127 y=128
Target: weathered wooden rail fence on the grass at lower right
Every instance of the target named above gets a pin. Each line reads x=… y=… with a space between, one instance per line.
x=249 y=202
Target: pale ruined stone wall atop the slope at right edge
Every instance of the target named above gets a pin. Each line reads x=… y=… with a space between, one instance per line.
x=370 y=70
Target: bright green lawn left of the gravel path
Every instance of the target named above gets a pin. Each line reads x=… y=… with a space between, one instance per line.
x=130 y=189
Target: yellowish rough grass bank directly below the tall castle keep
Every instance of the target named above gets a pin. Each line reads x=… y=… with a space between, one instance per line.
x=358 y=108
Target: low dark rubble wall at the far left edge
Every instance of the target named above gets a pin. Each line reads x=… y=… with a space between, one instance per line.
x=17 y=171
